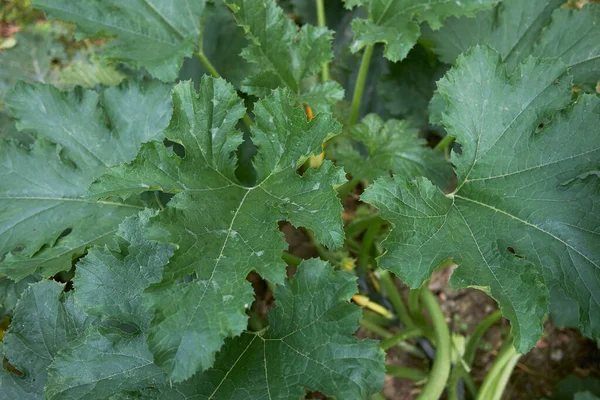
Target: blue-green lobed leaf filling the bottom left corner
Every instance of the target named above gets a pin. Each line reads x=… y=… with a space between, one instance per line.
x=51 y=334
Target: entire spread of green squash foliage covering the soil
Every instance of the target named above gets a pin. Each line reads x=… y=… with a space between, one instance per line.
x=163 y=193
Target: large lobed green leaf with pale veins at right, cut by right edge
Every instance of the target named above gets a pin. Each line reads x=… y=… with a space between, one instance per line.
x=526 y=198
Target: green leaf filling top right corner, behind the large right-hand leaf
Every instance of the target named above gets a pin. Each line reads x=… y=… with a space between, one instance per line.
x=517 y=29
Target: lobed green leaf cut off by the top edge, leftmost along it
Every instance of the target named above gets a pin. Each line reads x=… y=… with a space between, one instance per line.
x=154 y=34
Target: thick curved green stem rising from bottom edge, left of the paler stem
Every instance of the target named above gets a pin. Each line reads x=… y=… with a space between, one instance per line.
x=441 y=364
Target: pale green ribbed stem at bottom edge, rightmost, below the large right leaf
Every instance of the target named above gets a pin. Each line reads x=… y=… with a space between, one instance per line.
x=495 y=381
